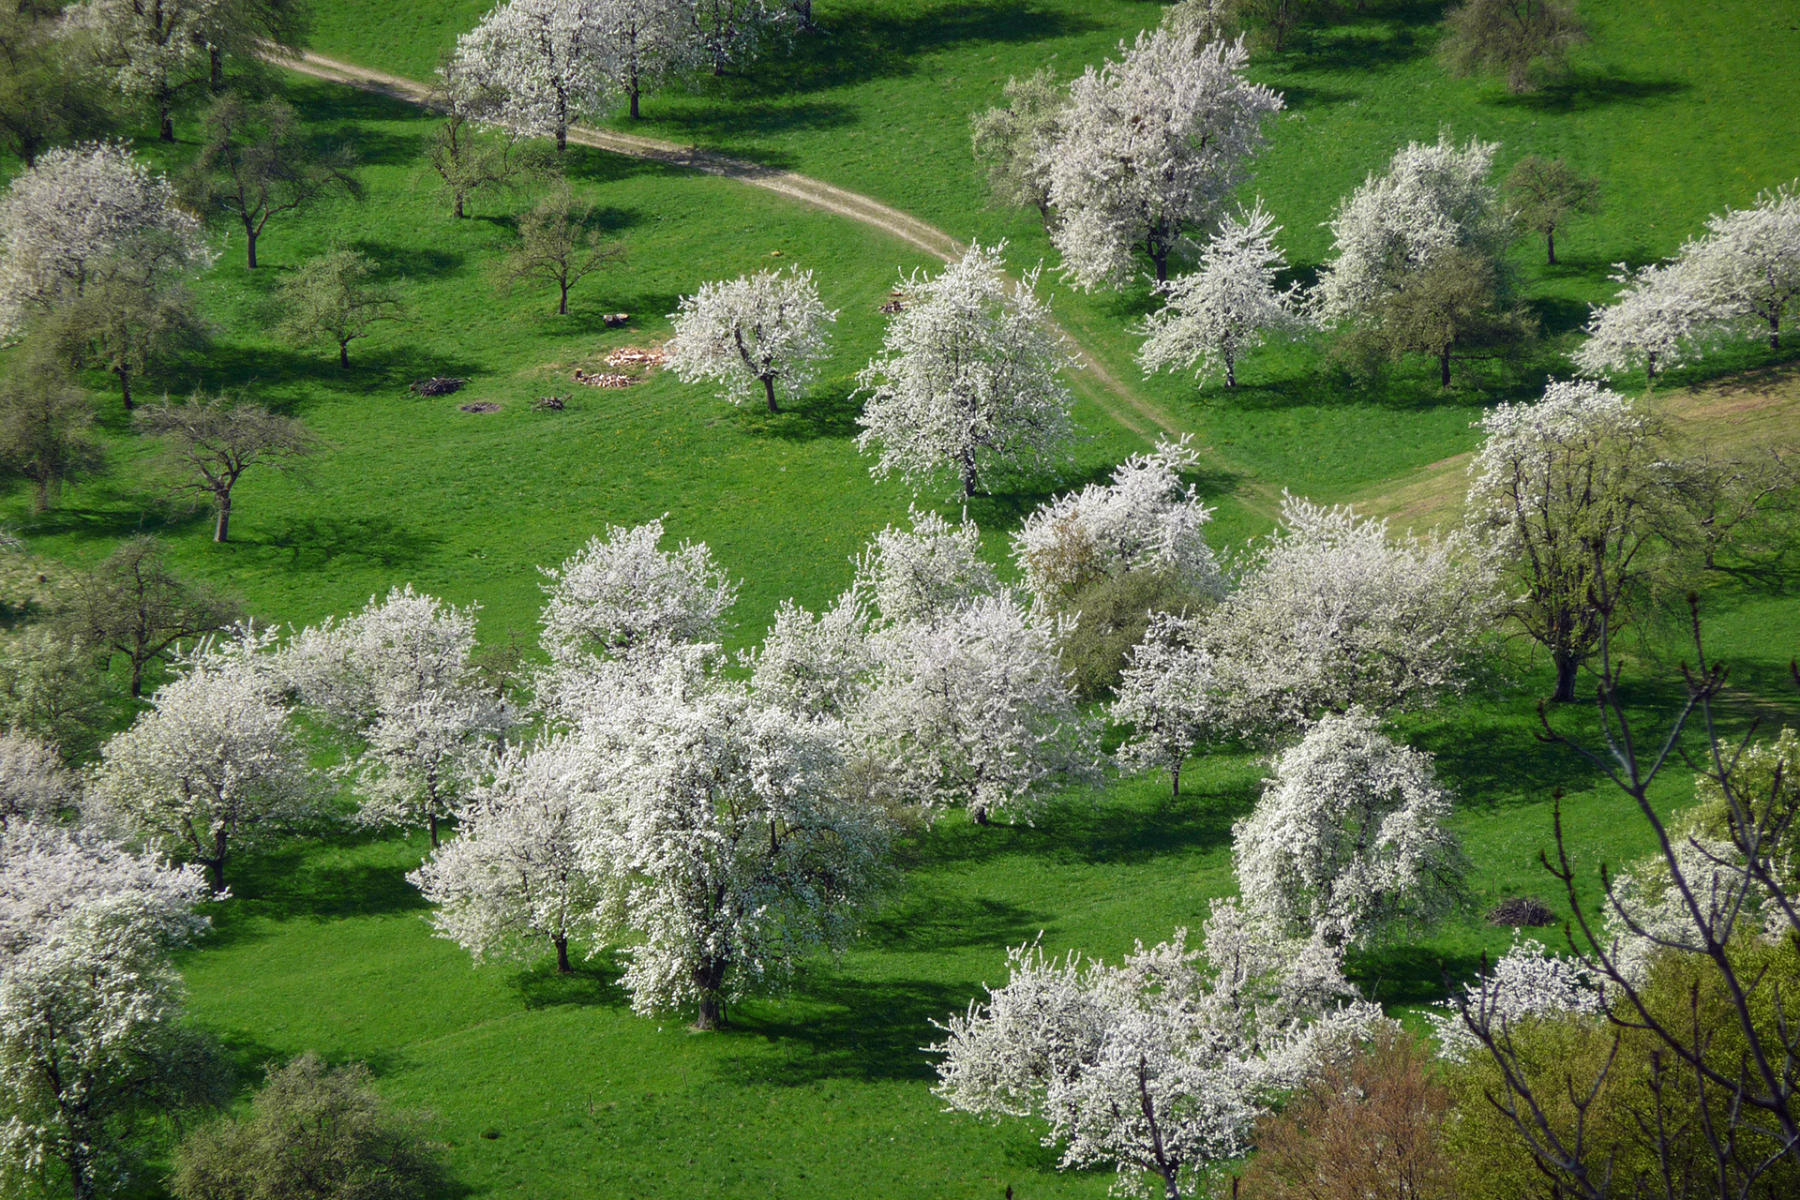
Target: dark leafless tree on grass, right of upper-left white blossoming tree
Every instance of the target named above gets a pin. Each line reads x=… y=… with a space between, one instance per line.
x=256 y=165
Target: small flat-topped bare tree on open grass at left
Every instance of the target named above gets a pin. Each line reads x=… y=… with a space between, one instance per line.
x=217 y=442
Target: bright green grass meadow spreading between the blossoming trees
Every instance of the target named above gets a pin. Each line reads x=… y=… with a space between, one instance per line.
x=1678 y=109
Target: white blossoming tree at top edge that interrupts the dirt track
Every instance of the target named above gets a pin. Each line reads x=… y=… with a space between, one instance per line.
x=541 y=62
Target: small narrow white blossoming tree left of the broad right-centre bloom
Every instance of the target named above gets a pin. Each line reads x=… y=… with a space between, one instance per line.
x=1169 y=697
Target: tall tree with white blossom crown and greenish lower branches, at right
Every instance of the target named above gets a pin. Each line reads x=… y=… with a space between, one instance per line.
x=1570 y=490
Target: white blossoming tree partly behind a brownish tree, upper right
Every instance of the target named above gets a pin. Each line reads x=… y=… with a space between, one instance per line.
x=1432 y=201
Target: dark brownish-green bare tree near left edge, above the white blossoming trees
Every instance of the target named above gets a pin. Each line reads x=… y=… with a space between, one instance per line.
x=138 y=607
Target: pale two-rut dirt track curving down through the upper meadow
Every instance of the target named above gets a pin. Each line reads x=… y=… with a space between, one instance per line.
x=1108 y=391
